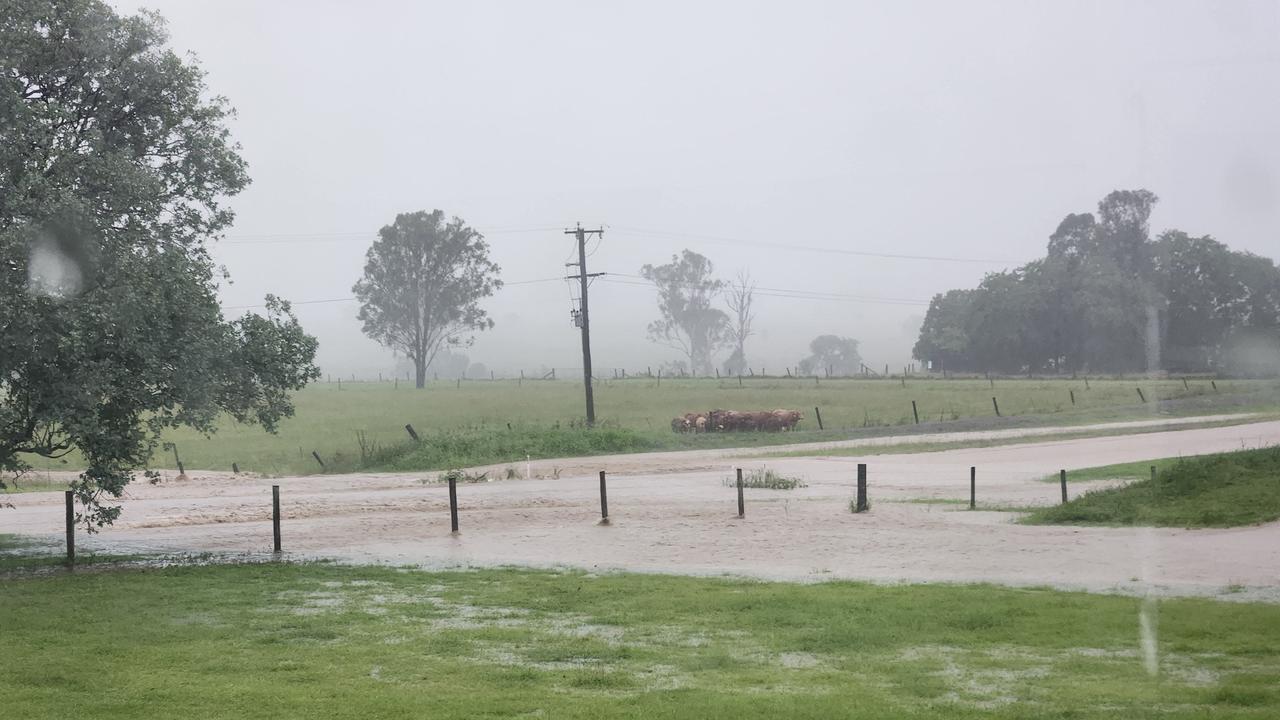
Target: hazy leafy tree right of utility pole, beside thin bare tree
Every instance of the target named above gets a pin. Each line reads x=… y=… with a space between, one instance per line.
x=689 y=322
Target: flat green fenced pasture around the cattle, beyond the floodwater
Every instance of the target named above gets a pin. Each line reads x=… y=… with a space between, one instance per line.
x=469 y=426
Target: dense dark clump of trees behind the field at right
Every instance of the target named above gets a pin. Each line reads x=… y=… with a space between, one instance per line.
x=1108 y=299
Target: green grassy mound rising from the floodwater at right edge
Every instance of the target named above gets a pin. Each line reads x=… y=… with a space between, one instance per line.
x=1212 y=491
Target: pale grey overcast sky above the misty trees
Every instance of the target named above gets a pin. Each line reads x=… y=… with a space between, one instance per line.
x=959 y=130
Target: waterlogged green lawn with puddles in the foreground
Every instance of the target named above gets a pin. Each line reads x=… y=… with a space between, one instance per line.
x=319 y=641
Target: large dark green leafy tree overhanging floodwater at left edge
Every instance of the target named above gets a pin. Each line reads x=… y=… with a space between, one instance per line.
x=113 y=170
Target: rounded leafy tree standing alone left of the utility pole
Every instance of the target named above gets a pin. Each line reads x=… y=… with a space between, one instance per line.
x=424 y=281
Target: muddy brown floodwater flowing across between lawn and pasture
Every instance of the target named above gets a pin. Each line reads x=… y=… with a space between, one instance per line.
x=673 y=513
